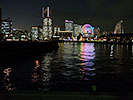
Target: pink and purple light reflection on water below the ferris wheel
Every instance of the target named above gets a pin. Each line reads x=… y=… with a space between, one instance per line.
x=88 y=57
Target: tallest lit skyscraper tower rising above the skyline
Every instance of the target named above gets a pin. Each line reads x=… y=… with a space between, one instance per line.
x=47 y=23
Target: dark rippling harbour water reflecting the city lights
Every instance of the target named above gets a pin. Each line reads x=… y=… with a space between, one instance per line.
x=73 y=67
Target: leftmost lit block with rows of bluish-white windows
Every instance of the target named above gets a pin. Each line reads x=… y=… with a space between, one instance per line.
x=6 y=26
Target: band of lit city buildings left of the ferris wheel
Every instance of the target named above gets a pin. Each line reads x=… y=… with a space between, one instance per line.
x=44 y=32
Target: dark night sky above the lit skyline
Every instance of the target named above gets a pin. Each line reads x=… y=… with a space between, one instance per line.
x=102 y=13
